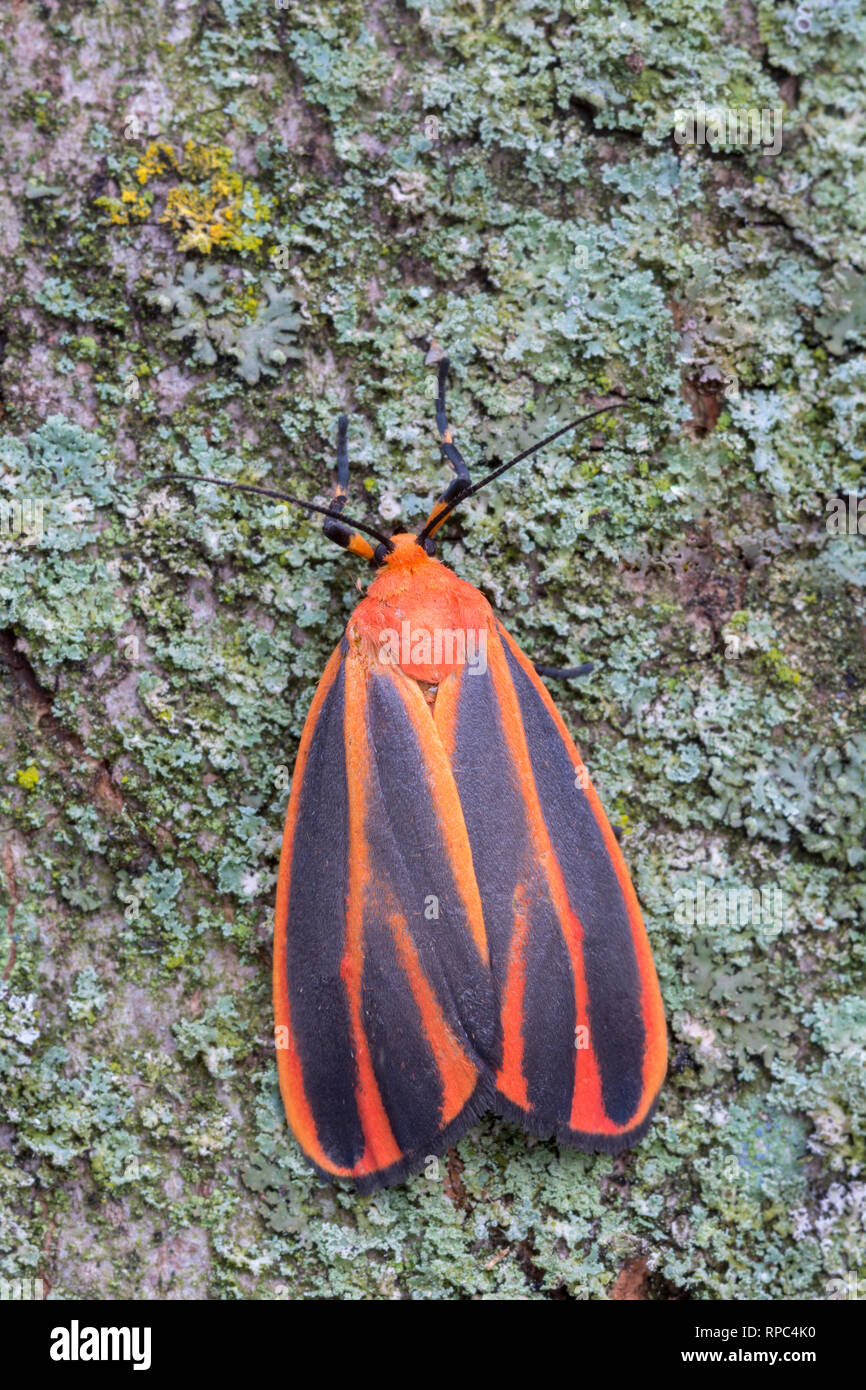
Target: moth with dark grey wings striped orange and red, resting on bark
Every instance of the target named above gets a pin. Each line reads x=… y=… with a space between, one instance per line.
x=455 y=929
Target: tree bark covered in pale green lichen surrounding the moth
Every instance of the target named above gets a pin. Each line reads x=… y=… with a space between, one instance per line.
x=224 y=223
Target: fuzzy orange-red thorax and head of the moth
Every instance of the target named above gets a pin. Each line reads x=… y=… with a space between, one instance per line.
x=420 y=616
